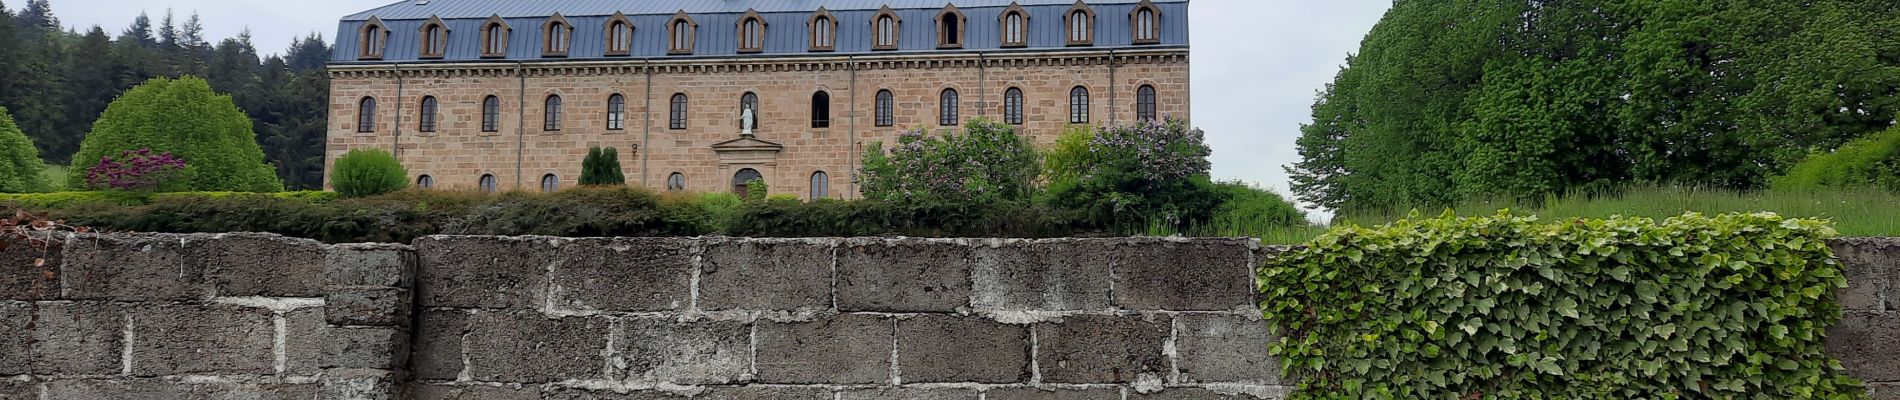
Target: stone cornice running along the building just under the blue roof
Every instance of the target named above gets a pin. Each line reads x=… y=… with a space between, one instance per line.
x=786 y=64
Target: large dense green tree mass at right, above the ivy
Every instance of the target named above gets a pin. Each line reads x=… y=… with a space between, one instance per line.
x=1449 y=101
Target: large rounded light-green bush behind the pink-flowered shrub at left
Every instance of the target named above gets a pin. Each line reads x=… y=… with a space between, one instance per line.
x=189 y=120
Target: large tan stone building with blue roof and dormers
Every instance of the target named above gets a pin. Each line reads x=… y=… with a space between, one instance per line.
x=510 y=96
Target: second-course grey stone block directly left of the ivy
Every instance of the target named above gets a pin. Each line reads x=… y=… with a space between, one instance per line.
x=1225 y=350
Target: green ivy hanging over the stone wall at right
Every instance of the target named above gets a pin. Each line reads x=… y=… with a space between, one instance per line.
x=1732 y=306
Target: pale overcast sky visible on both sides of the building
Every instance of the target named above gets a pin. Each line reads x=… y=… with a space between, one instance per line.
x=1257 y=64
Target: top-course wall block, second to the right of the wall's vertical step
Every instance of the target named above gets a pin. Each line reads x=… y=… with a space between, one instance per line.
x=624 y=276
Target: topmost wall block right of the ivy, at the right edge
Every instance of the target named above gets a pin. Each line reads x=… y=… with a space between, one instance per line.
x=1872 y=266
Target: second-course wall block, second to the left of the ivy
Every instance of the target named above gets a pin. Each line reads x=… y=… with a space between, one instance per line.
x=1103 y=350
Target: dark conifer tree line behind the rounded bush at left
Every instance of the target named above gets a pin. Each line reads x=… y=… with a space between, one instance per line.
x=58 y=82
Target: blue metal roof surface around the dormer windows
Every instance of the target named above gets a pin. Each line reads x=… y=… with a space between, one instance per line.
x=786 y=31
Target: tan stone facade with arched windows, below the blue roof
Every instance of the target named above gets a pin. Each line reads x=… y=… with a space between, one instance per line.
x=788 y=149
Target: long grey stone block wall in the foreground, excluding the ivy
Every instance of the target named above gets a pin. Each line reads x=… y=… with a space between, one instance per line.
x=632 y=319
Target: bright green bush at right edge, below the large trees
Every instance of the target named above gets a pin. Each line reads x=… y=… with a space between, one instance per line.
x=1872 y=162
